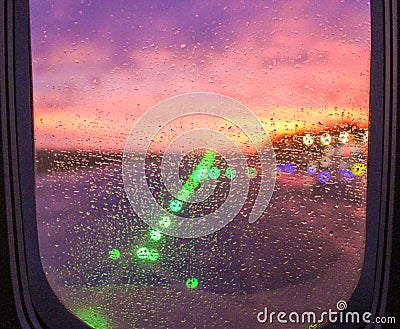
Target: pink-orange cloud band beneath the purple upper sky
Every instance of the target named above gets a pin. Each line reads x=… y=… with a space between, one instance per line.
x=84 y=98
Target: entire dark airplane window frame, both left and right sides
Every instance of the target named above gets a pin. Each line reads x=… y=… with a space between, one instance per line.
x=32 y=293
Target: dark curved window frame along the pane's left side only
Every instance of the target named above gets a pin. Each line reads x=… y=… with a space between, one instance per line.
x=32 y=292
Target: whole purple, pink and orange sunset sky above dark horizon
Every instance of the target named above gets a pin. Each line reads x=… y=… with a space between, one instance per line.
x=99 y=65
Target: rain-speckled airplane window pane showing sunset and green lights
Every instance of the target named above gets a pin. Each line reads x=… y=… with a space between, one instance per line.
x=198 y=161
